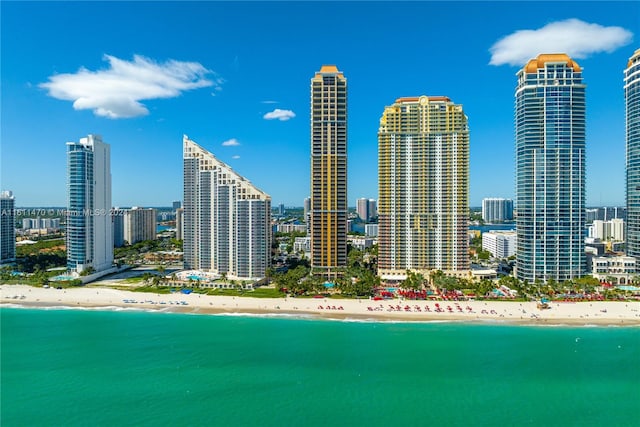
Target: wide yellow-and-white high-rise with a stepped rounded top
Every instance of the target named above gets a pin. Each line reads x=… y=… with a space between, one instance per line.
x=423 y=205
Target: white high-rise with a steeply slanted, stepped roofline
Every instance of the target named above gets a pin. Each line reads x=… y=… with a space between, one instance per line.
x=227 y=220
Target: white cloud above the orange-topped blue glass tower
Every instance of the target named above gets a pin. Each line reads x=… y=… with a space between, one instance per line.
x=576 y=38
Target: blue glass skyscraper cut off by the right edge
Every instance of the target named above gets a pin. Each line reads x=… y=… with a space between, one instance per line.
x=632 y=104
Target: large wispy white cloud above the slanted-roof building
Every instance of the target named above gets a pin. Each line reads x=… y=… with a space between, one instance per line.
x=116 y=92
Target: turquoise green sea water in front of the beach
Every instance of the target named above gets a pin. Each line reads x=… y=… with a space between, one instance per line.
x=100 y=368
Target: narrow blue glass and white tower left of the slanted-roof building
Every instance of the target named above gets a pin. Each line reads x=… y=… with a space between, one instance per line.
x=89 y=232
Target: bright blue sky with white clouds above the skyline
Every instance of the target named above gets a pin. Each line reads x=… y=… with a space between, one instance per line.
x=142 y=74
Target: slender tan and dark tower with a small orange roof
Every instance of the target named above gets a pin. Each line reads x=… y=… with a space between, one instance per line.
x=329 y=210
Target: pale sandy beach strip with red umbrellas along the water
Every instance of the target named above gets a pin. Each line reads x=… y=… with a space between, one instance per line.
x=509 y=312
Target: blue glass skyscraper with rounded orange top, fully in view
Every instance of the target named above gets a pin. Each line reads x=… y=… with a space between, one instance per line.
x=550 y=169
